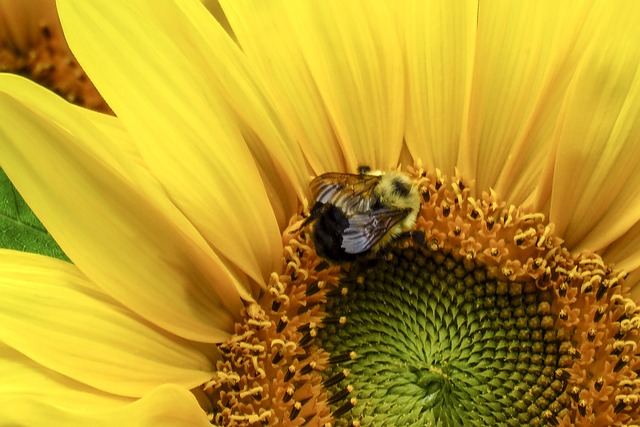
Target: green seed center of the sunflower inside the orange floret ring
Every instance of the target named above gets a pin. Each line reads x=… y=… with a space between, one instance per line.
x=439 y=343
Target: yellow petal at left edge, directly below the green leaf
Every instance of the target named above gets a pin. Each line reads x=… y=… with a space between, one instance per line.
x=53 y=314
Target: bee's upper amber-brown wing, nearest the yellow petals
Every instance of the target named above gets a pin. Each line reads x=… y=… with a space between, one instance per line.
x=350 y=192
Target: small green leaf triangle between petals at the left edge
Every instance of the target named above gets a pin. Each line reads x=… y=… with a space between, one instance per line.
x=20 y=229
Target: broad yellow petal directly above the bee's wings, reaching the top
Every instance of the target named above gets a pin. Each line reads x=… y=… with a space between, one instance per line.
x=340 y=69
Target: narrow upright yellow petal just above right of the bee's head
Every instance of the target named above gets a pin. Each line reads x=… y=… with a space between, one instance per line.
x=439 y=46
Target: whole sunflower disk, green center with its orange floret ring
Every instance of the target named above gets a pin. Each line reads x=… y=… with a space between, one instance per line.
x=479 y=317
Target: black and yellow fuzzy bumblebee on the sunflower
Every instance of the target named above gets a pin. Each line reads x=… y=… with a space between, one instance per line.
x=358 y=214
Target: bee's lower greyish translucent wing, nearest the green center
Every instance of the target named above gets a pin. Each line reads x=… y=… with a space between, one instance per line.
x=367 y=229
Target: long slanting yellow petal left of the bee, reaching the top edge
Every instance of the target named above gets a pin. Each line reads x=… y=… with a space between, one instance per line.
x=181 y=118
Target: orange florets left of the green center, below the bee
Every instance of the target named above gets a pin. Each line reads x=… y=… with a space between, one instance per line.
x=272 y=368
